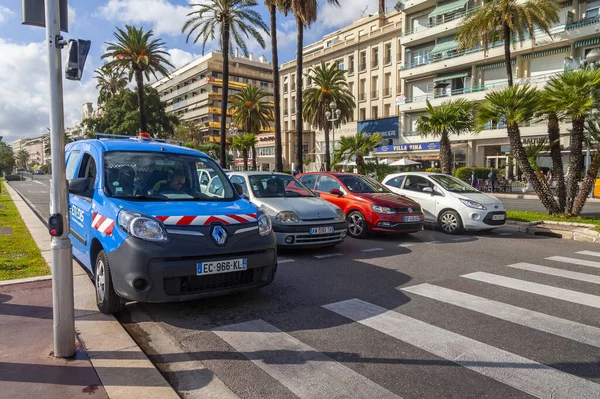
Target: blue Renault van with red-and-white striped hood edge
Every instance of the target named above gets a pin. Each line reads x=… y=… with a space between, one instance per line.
x=147 y=229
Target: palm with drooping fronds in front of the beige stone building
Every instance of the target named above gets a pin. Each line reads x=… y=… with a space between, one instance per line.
x=329 y=85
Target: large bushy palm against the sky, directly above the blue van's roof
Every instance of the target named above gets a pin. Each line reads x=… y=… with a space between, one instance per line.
x=136 y=52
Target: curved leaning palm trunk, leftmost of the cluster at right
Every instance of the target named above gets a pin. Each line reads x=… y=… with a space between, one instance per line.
x=540 y=186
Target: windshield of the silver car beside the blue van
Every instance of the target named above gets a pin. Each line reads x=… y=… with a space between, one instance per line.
x=272 y=186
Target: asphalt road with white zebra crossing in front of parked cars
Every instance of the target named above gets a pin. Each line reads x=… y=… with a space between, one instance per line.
x=493 y=315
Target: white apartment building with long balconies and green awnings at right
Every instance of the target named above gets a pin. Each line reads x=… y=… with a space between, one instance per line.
x=433 y=69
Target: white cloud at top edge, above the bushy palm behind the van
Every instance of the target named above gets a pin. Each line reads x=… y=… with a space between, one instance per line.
x=164 y=17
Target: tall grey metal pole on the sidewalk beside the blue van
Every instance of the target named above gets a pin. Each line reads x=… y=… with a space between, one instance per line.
x=62 y=258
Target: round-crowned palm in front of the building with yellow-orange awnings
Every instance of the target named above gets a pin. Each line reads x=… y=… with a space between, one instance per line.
x=253 y=111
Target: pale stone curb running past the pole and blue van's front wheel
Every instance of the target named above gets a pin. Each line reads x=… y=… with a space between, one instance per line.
x=123 y=368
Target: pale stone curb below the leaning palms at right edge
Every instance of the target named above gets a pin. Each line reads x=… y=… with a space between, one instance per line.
x=564 y=230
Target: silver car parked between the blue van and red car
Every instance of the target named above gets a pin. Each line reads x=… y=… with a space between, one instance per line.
x=299 y=217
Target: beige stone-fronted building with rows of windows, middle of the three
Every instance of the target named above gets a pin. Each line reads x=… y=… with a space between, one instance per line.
x=369 y=49
